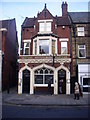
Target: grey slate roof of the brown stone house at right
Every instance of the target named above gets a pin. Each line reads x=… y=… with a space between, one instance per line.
x=79 y=17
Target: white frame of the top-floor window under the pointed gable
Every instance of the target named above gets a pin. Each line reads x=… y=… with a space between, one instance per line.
x=45 y=30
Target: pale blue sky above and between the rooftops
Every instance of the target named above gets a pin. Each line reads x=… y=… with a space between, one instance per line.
x=19 y=9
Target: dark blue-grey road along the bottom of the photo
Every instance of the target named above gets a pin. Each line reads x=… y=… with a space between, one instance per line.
x=12 y=111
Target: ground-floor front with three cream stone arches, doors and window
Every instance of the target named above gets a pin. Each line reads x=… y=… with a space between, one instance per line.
x=30 y=79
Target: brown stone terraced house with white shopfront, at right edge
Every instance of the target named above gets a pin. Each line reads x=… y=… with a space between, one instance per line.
x=80 y=49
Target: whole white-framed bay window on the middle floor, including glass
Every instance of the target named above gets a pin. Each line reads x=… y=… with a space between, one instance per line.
x=45 y=45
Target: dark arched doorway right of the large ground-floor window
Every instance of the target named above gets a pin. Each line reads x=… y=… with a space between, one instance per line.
x=61 y=81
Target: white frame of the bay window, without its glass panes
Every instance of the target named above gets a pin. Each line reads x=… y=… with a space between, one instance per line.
x=50 y=44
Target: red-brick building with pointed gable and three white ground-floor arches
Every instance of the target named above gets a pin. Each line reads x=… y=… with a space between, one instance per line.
x=45 y=53
